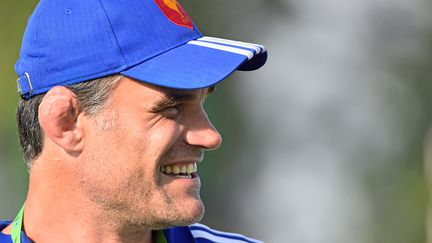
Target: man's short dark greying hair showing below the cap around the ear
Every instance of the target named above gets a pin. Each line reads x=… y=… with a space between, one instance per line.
x=91 y=96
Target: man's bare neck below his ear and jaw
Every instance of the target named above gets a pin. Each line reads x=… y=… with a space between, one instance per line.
x=57 y=211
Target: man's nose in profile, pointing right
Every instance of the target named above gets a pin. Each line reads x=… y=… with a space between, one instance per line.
x=202 y=133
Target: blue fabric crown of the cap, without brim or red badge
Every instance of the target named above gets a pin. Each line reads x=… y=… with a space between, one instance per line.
x=70 y=41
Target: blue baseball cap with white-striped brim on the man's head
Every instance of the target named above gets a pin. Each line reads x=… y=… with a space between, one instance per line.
x=154 y=41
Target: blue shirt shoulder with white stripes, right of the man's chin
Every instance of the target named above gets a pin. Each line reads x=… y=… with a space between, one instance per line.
x=204 y=234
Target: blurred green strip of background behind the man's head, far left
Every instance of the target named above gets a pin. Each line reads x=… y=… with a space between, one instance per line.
x=13 y=181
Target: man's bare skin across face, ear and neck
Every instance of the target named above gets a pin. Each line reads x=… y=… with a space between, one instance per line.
x=98 y=177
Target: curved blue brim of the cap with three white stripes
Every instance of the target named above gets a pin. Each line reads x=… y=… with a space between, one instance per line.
x=199 y=63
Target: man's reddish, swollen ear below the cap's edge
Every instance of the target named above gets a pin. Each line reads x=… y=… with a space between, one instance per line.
x=58 y=117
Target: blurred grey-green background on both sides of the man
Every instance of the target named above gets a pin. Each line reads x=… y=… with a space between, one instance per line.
x=324 y=144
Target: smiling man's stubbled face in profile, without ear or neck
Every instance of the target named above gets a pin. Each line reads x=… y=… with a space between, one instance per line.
x=137 y=145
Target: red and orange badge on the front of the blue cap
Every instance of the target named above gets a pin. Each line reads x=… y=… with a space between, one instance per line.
x=175 y=12
